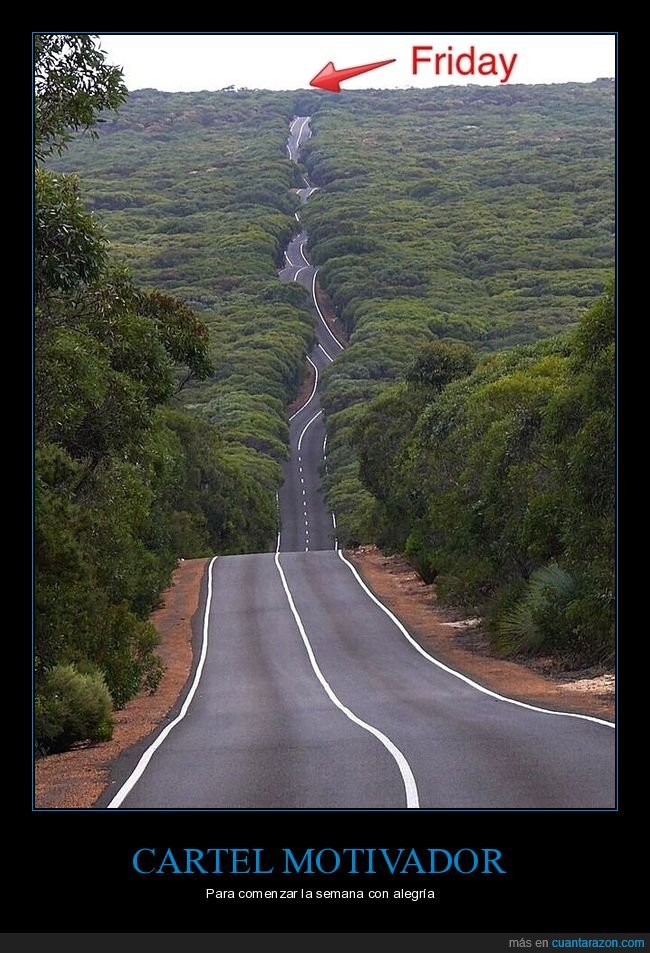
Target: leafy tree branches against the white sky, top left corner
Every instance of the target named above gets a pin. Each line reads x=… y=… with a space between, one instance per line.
x=73 y=85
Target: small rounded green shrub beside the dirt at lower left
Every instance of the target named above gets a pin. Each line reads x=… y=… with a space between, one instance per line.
x=72 y=706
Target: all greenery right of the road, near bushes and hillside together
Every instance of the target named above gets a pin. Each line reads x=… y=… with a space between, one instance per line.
x=466 y=239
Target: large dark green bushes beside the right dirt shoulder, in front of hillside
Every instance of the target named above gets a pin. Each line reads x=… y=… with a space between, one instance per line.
x=501 y=488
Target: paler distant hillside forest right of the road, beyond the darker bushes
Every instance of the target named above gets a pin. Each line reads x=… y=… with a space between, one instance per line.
x=467 y=214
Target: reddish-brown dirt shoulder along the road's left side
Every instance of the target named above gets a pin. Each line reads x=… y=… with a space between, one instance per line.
x=76 y=778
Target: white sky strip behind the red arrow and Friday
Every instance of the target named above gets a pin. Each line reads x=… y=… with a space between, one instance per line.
x=289 y=60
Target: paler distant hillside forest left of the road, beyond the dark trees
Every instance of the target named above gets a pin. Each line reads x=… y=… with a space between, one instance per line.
x=194 y=193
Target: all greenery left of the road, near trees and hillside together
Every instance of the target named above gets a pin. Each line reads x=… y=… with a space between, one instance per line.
x=156 y=251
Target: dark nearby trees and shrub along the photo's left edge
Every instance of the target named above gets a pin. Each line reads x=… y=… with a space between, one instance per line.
x=106 y=465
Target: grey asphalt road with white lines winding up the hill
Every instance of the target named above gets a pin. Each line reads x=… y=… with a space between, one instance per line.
x=309 y=693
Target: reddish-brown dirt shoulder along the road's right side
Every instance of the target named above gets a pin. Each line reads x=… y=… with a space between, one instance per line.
x=461 y=643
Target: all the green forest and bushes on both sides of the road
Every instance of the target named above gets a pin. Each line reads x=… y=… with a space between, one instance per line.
x=465 y=238
